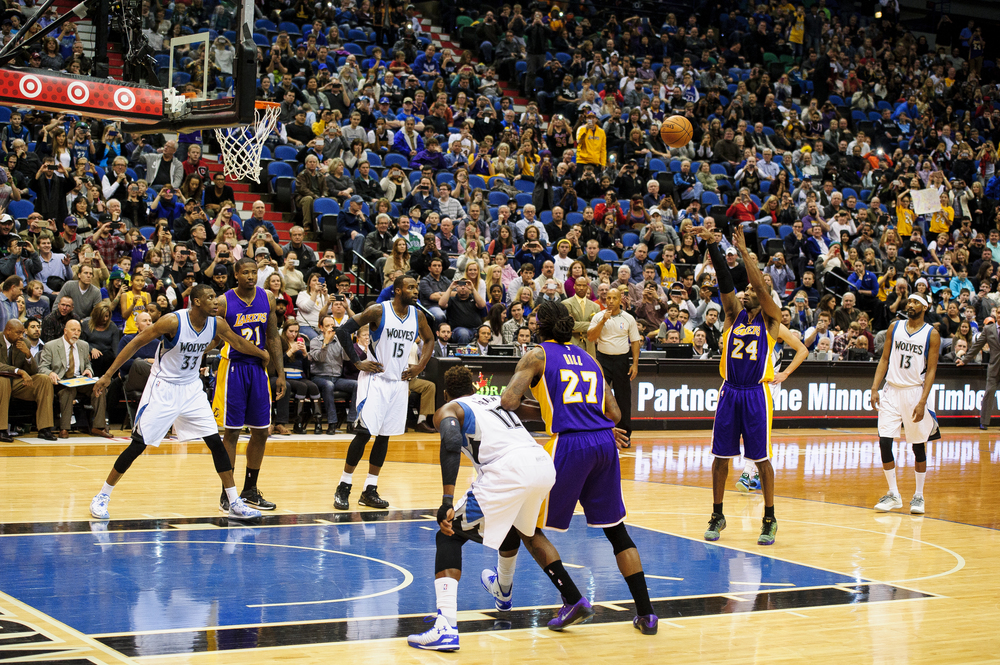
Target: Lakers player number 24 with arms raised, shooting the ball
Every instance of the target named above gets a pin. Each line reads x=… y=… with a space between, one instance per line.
x=744 y=408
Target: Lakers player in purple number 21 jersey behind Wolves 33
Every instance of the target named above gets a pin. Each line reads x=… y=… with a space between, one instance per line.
x=242 y=391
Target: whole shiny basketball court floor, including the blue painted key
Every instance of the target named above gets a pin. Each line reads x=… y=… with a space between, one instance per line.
x=167 y=580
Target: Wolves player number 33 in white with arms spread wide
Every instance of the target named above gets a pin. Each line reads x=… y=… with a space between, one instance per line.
x=174 y=395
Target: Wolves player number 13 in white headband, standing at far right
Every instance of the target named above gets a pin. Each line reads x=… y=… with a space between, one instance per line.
x=908 y=365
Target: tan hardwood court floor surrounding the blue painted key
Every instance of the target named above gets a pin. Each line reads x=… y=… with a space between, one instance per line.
x=826 y=481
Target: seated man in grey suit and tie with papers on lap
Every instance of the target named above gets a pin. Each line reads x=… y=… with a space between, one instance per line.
x=66 y=358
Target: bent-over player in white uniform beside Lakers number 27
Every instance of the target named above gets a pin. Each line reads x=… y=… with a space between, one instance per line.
x=513 y=477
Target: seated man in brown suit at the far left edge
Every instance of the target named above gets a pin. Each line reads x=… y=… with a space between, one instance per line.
x=15 y=358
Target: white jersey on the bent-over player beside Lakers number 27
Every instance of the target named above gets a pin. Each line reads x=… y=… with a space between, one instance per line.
x=490 y=430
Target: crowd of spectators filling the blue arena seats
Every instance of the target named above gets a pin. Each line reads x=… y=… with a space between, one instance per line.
x=818 y=128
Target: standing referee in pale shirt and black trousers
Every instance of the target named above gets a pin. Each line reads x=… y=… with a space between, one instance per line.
x=616 y=335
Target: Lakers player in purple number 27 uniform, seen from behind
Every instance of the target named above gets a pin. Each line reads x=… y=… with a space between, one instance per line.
x=580 y=413
